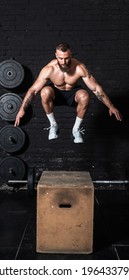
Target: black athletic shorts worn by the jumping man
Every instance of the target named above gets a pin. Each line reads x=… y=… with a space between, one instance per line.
x=65 y=97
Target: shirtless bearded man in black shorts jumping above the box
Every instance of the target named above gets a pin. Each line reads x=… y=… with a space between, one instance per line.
x=63 y=73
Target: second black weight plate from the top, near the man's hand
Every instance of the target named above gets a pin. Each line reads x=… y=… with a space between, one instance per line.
x=9 y=106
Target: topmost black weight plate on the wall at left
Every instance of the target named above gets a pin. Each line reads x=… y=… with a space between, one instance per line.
x=11 y=73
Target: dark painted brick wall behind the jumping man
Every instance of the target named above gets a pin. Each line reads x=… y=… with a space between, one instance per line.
x=98 y=32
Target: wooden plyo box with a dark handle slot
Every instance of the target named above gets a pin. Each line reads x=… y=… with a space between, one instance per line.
x=65 y=206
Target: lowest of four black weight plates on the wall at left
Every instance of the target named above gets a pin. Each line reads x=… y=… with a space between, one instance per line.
x=12 y=168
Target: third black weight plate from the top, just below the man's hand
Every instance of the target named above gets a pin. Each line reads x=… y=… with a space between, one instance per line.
x=12 y=138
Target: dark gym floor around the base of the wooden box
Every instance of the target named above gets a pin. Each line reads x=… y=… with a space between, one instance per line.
x=18 y=226
